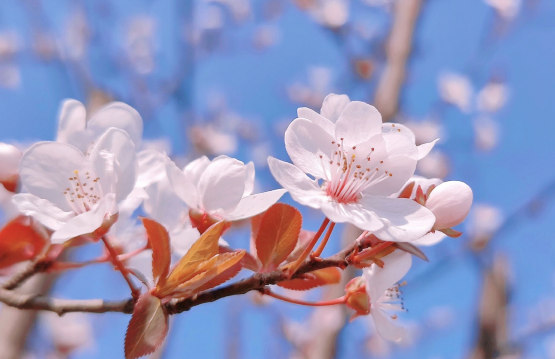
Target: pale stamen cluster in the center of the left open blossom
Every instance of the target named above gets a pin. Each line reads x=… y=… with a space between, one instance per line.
x=83 y=192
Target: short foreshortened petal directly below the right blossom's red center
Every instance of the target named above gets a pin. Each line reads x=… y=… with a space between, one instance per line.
x=352 y=213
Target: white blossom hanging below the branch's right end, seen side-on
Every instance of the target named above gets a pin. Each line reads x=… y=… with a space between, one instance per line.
x=385 y=300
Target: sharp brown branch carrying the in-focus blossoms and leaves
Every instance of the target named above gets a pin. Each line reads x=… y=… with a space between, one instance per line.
x=256 y=282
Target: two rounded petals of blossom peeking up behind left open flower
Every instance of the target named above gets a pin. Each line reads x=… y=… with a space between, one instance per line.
x=76 y=130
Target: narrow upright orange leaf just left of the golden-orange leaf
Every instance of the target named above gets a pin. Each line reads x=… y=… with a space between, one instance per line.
x=159 y=240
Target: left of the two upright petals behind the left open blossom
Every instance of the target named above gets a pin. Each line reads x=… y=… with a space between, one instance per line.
x=72 y=119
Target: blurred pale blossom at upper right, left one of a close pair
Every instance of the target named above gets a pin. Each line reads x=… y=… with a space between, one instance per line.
x=456 y=90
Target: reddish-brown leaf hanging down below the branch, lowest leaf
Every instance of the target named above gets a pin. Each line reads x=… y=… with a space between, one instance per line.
x=147 y=328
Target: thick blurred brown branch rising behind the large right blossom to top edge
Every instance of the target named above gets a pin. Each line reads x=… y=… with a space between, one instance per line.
x=398 y=49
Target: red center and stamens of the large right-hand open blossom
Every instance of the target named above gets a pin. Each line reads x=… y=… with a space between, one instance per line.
x=351 y=172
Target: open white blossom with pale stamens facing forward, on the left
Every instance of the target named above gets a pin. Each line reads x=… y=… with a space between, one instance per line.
x=73 y=194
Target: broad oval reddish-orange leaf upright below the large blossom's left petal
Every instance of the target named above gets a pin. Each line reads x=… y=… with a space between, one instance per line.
x=279 y=230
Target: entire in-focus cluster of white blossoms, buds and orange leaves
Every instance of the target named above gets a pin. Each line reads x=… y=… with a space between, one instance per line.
x=91 y=182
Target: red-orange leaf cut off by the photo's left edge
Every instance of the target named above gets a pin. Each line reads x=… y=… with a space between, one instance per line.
x=20 y=240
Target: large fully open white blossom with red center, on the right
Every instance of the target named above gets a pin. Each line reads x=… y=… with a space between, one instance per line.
x=356 y=165
